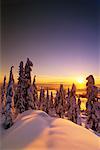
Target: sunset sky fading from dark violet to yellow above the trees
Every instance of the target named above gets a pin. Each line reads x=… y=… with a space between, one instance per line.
x=61 y=38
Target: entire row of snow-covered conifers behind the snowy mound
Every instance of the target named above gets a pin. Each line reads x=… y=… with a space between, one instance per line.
x=24 y=97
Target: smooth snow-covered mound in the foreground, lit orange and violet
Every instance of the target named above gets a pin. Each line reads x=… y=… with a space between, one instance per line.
x=35 y=130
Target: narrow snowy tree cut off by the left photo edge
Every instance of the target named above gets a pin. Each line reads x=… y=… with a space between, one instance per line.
x=3 y=97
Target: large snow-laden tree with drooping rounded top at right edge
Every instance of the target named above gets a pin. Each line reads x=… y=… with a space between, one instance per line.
x=92 y=104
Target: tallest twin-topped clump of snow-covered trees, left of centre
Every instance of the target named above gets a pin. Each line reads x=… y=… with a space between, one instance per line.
x=23 y=99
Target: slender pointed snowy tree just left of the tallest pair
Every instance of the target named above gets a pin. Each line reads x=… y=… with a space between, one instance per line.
x=9 y=102
